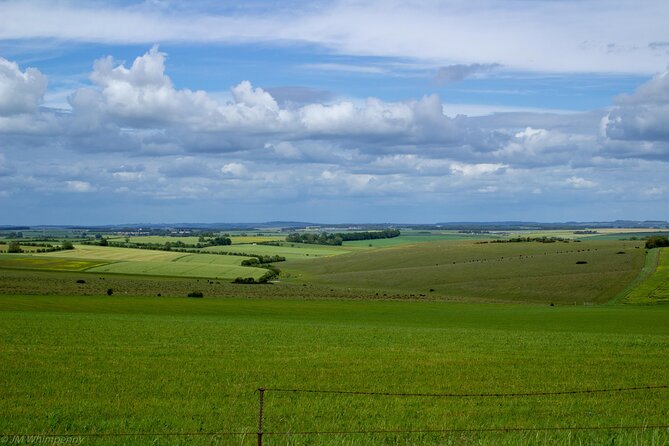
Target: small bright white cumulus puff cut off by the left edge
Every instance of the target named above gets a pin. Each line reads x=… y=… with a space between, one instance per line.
x=20 y=91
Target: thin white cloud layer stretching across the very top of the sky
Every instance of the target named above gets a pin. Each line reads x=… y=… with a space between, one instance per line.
x=534 y=36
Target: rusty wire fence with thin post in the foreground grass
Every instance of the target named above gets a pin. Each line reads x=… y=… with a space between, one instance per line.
x=261 y=433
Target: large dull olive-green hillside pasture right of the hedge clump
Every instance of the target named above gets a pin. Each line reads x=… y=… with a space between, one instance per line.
x=521 y=272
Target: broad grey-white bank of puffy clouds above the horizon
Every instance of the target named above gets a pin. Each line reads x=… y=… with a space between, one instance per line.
x=137 y=142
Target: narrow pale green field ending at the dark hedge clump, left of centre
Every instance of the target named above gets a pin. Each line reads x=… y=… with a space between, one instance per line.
x=180 y=269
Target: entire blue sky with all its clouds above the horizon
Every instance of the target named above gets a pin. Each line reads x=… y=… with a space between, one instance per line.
x=340 y=111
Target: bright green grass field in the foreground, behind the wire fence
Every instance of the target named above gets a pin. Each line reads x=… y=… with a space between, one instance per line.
x=159 y=365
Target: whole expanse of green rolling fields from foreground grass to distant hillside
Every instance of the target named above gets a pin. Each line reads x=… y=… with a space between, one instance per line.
x=420 y=313
